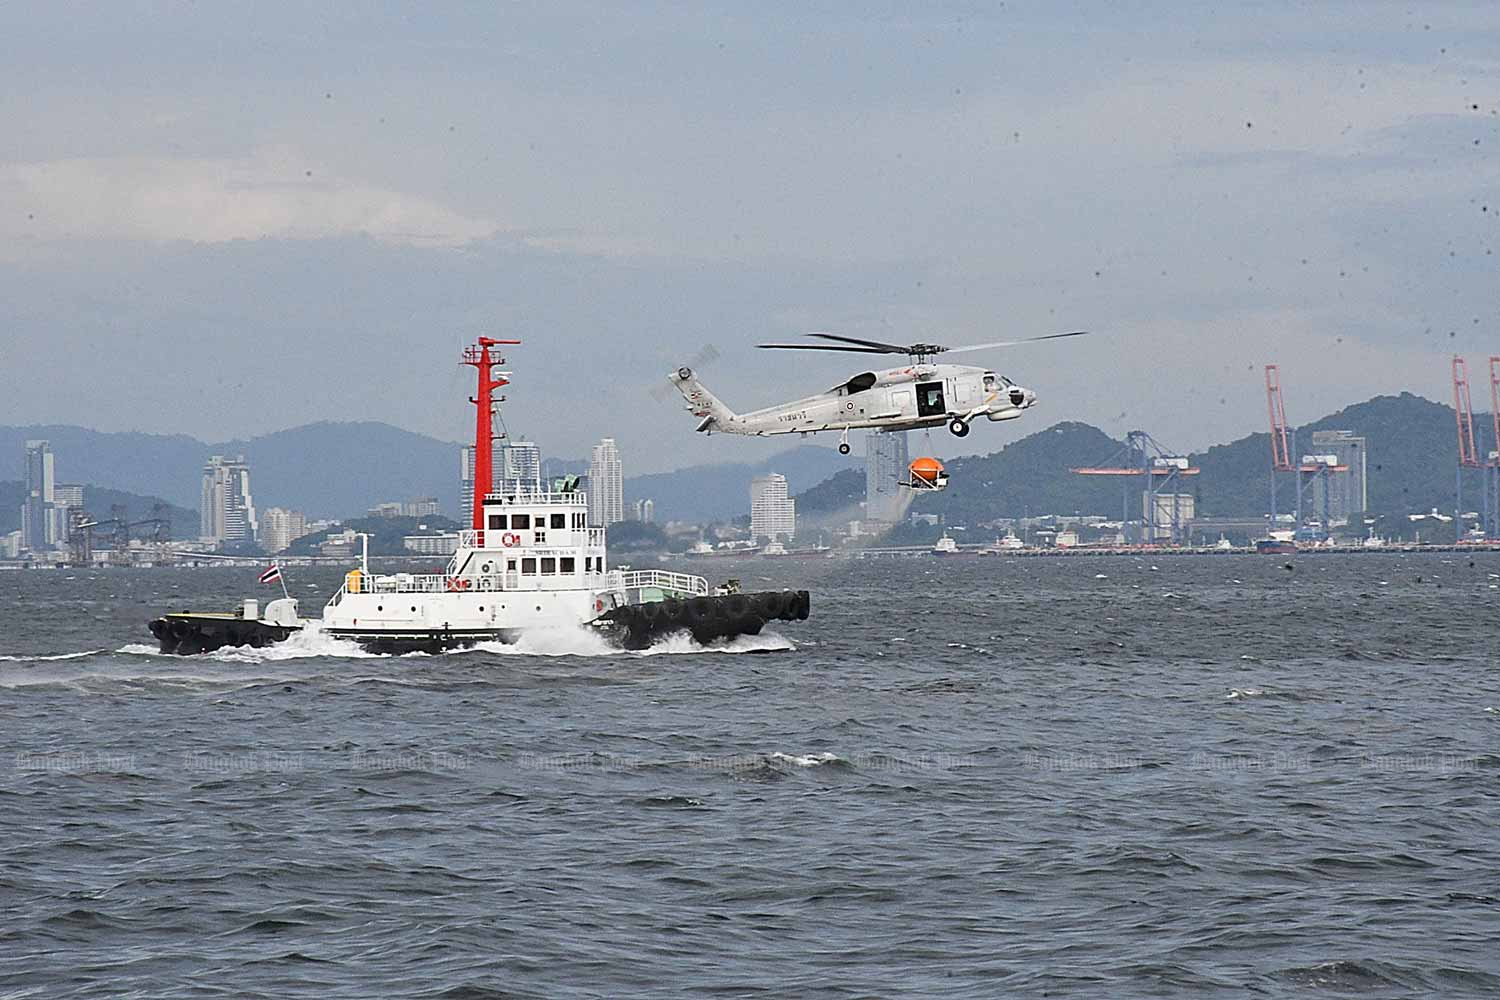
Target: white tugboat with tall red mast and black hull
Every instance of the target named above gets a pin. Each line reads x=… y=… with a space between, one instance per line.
x=530 y=561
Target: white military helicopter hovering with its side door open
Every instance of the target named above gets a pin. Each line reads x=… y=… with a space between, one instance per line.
x=922 y=395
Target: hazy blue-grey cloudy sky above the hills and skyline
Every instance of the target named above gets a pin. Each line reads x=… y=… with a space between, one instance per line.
x=230 y=220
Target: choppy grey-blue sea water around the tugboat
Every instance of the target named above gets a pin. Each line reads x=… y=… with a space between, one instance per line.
x=961 y=779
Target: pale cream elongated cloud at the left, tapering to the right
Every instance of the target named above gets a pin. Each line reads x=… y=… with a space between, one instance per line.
x=266 y=196
